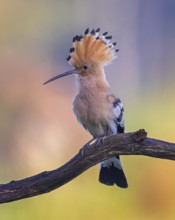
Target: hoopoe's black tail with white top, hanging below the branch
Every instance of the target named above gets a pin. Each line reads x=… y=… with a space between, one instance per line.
x=111 y=172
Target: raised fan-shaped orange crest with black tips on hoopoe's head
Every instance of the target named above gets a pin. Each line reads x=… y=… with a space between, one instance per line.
x=92 y=47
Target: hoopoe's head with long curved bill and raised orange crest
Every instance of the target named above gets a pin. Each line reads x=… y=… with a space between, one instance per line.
x=89 y=52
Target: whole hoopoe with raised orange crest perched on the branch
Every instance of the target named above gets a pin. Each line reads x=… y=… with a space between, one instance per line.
x=95 y=106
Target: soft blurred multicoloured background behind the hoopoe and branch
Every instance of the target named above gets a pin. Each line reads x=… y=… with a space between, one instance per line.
x=38 y=130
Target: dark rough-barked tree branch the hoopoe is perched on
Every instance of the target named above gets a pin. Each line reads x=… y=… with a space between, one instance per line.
x=136 y=143
